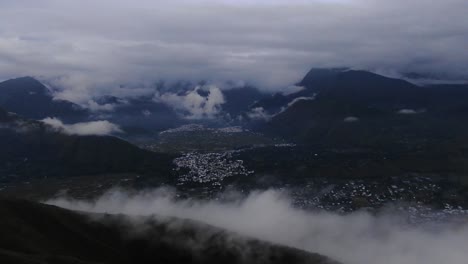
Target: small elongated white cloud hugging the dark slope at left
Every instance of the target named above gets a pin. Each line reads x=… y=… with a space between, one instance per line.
x=99 y=128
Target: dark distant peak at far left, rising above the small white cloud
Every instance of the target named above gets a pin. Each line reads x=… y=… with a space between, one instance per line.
x=30 y=98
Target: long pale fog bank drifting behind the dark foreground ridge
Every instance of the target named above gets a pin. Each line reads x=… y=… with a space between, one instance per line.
x=357 y=238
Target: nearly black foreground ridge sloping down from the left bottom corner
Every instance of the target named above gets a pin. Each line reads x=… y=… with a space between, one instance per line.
x=37 y=233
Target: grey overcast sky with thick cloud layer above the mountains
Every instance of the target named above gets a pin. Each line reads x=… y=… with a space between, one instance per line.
x=94 y=45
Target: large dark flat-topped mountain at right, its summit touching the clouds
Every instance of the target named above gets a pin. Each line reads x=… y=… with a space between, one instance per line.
x=363 y=109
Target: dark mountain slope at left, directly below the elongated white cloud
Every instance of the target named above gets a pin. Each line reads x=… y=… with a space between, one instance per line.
x=33 y=149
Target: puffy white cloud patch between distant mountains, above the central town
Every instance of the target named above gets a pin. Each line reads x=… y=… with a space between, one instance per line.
x=200 y=103
